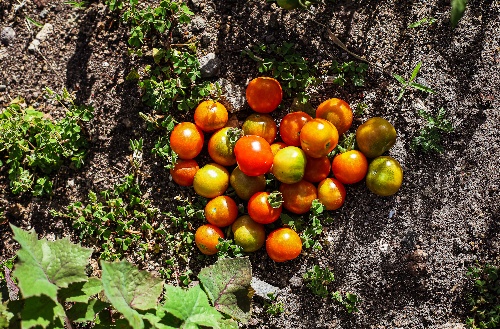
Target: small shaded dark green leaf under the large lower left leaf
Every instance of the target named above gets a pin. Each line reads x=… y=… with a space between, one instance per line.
x=40 y=311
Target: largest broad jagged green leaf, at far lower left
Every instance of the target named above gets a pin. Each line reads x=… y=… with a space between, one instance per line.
x=44 y=266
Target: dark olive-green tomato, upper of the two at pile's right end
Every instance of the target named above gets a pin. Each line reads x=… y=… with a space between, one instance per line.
x=375 y=136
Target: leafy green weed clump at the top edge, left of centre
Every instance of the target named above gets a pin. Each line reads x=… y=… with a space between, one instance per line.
x=159 y=19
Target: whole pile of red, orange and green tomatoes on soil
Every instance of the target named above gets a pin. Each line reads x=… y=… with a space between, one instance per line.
x=299 y=162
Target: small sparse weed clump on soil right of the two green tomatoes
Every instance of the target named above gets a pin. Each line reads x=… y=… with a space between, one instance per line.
x=429 y=139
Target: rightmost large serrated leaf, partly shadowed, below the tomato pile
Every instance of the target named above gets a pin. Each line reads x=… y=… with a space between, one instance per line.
x=227 y=284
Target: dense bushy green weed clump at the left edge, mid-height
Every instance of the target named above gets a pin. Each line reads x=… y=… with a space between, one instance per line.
x=36 y=146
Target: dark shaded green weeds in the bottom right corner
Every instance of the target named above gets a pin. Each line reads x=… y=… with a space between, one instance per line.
x=485 y=301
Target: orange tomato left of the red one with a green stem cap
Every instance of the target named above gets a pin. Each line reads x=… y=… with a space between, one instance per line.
x=221 y=211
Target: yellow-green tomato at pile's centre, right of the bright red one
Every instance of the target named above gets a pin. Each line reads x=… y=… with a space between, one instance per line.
x=289 y=165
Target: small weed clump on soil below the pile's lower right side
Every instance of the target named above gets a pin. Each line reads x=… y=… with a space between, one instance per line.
x=318 y=281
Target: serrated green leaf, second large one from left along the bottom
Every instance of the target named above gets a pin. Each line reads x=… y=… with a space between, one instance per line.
x=128 y=289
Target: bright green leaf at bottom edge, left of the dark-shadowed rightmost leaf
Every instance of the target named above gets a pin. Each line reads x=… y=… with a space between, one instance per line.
x=191 y=307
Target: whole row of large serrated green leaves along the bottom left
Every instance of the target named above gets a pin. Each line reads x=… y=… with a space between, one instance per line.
x=63 y=296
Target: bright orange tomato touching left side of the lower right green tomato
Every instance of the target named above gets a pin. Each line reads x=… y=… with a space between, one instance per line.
x=350 y=167
